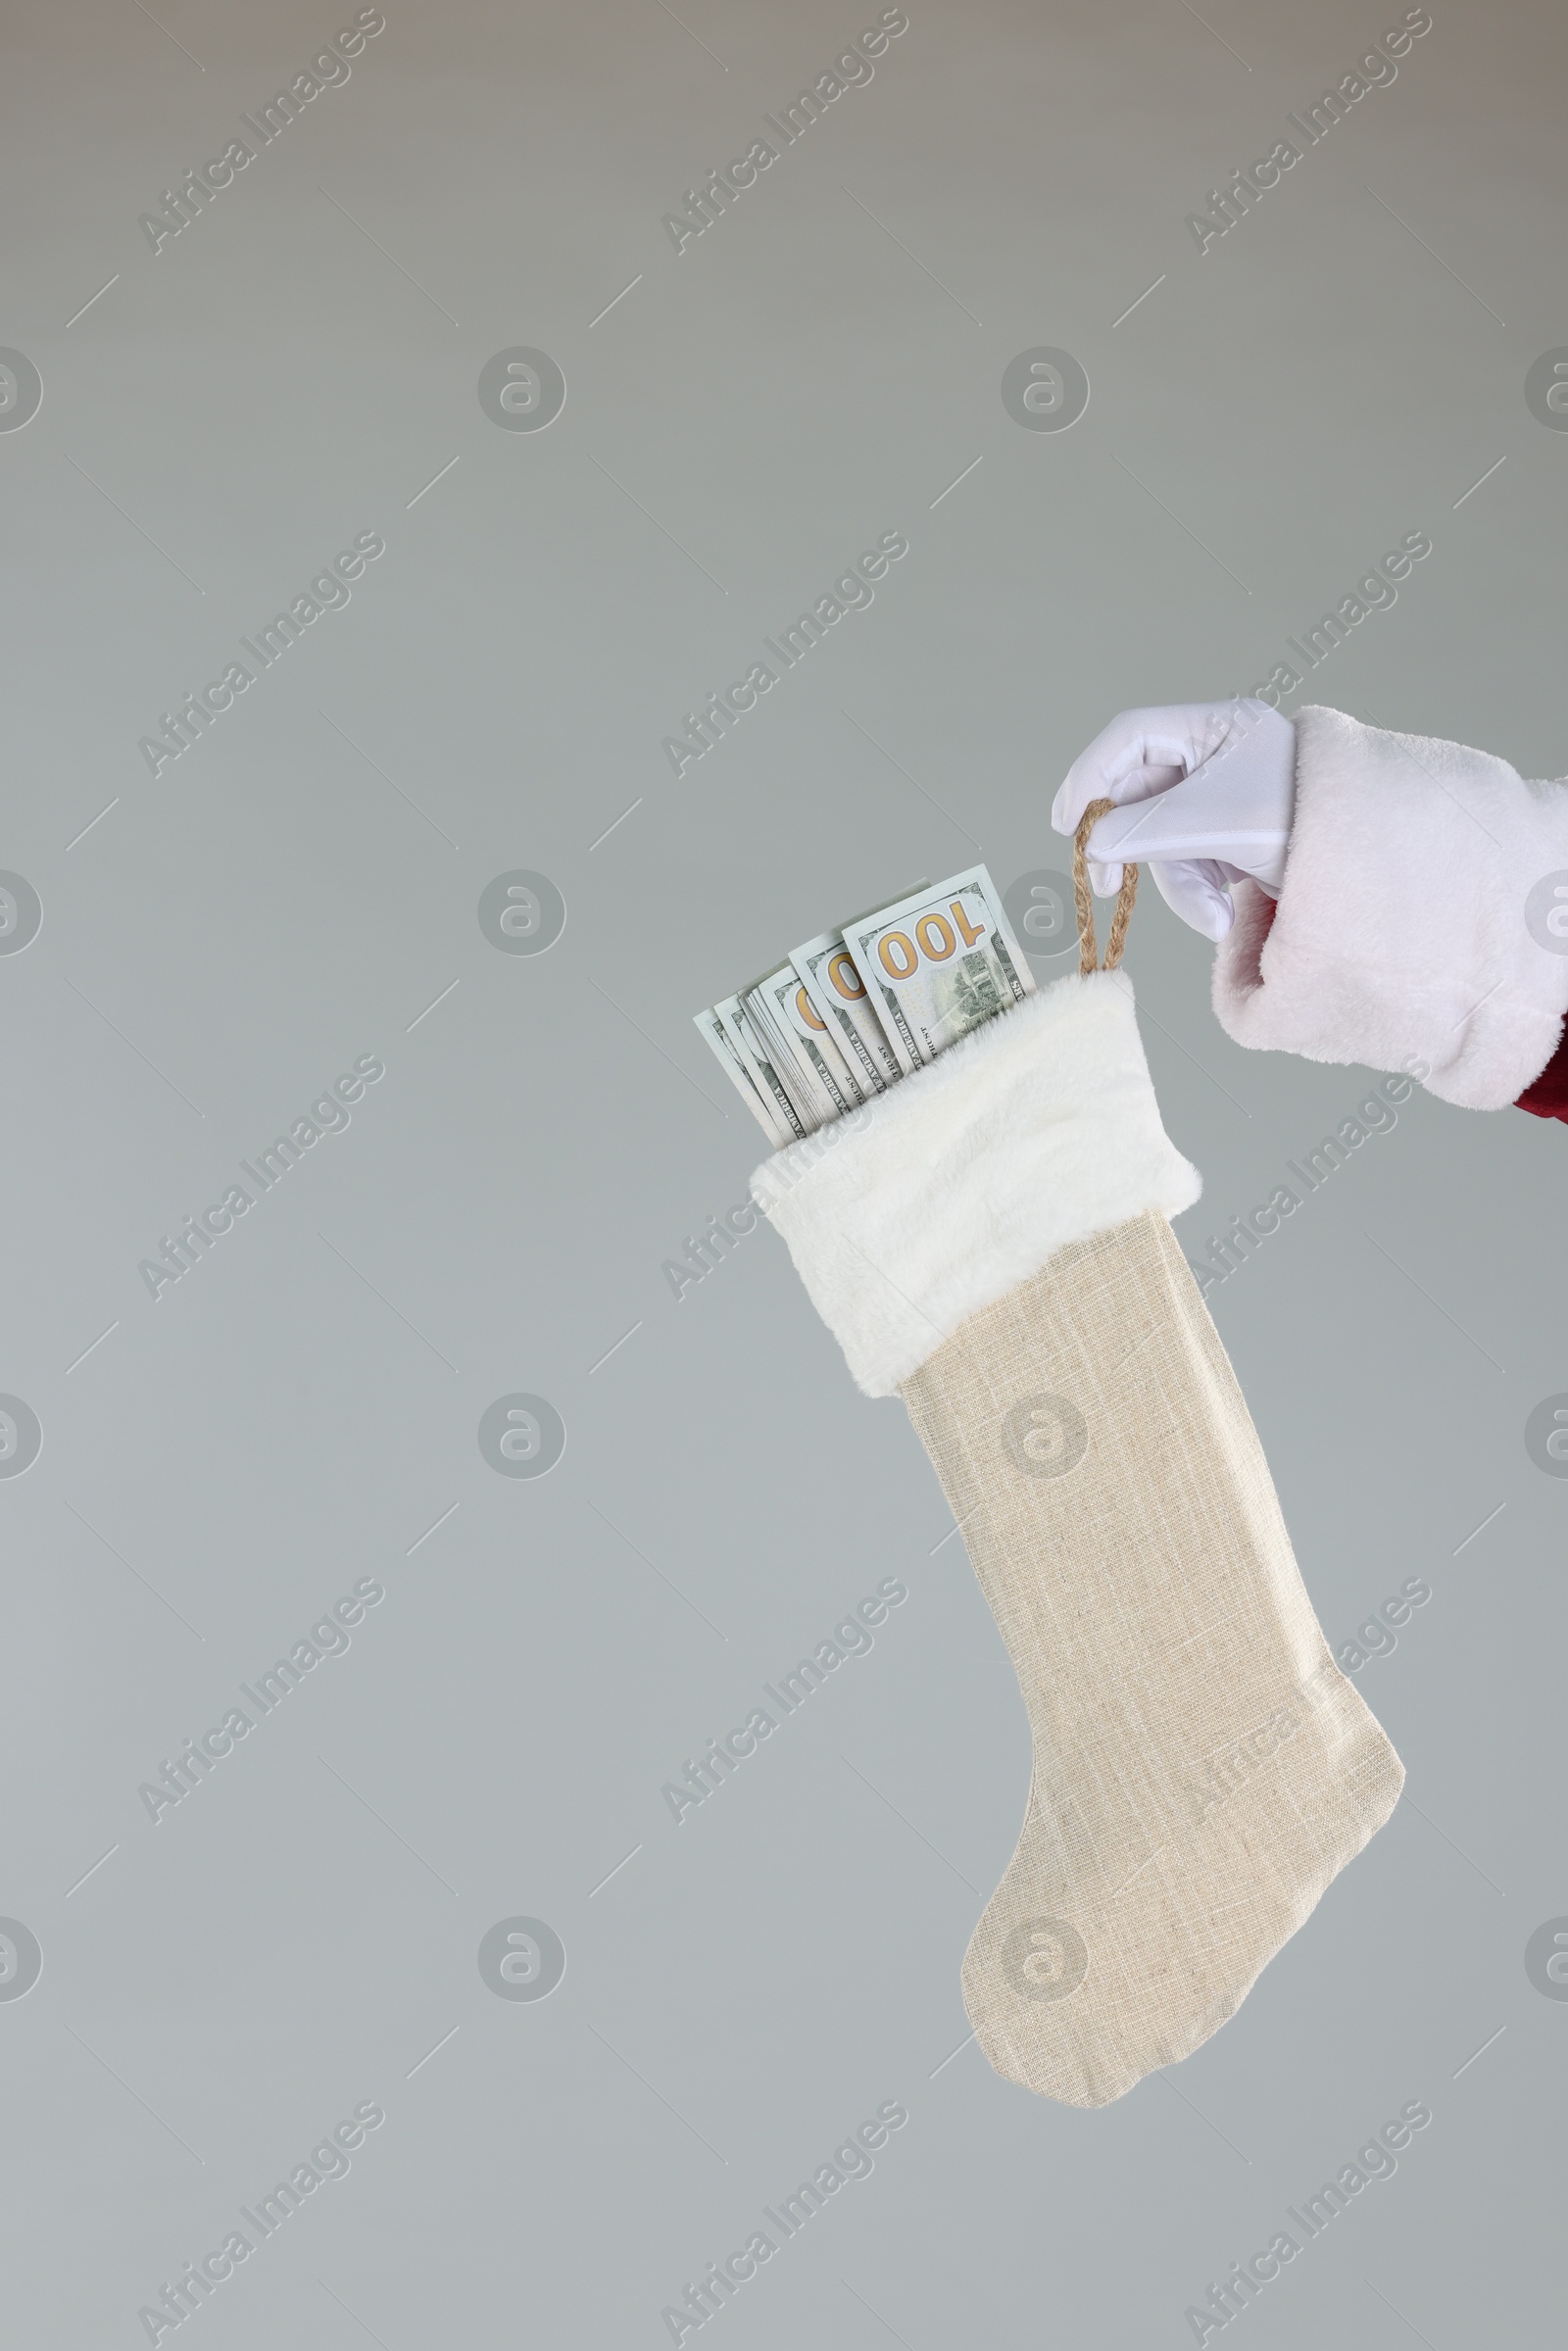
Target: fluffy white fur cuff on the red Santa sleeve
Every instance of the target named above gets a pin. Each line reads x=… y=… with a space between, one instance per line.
x=1402 y=930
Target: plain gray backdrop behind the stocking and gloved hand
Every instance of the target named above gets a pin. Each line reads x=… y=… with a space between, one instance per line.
x=297 y=1936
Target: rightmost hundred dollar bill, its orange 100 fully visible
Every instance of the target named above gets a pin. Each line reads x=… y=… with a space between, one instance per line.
x=939 y=965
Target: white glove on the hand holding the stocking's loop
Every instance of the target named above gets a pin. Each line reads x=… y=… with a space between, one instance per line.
x=1205 y=796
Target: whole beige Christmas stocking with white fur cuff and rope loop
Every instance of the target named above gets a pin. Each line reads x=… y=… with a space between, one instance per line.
x=993 y=1245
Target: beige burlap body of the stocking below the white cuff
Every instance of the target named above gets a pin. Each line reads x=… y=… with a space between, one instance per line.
x=1202 y=1769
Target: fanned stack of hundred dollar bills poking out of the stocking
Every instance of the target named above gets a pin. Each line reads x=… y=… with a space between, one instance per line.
x=857 y=1010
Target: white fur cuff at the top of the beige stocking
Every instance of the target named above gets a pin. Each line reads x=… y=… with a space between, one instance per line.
x=963 y=1181
